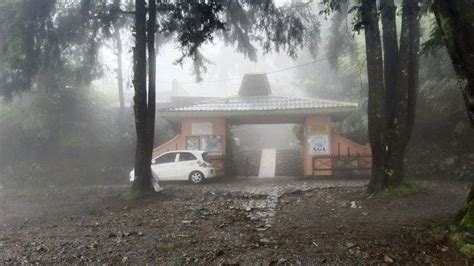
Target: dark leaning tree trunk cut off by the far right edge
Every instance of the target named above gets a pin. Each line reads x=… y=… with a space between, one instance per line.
x=454 y=19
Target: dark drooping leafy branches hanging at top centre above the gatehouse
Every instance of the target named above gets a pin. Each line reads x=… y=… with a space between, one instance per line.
x=242 y=24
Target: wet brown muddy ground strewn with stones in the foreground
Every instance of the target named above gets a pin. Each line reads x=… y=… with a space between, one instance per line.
x=230 y=222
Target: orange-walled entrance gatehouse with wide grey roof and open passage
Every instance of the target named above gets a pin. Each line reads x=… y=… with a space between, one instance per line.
x=206 y=126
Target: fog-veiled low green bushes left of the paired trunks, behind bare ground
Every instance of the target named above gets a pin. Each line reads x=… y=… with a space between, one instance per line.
x=50 y=138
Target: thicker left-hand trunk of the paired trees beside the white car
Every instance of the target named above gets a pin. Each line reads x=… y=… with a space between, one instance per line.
x=142 y=182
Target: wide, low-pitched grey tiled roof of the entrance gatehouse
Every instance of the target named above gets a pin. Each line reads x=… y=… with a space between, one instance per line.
x=263 y=103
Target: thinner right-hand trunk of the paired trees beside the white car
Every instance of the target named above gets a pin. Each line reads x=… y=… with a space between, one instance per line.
x=151 y=25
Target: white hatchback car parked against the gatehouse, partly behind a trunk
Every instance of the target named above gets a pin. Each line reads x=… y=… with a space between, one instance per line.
x=180 y=165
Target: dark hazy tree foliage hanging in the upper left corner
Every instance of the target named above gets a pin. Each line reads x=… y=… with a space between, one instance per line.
x=48 y=45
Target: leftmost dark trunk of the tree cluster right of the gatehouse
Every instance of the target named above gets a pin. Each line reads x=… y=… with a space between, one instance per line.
x=375 y=106
